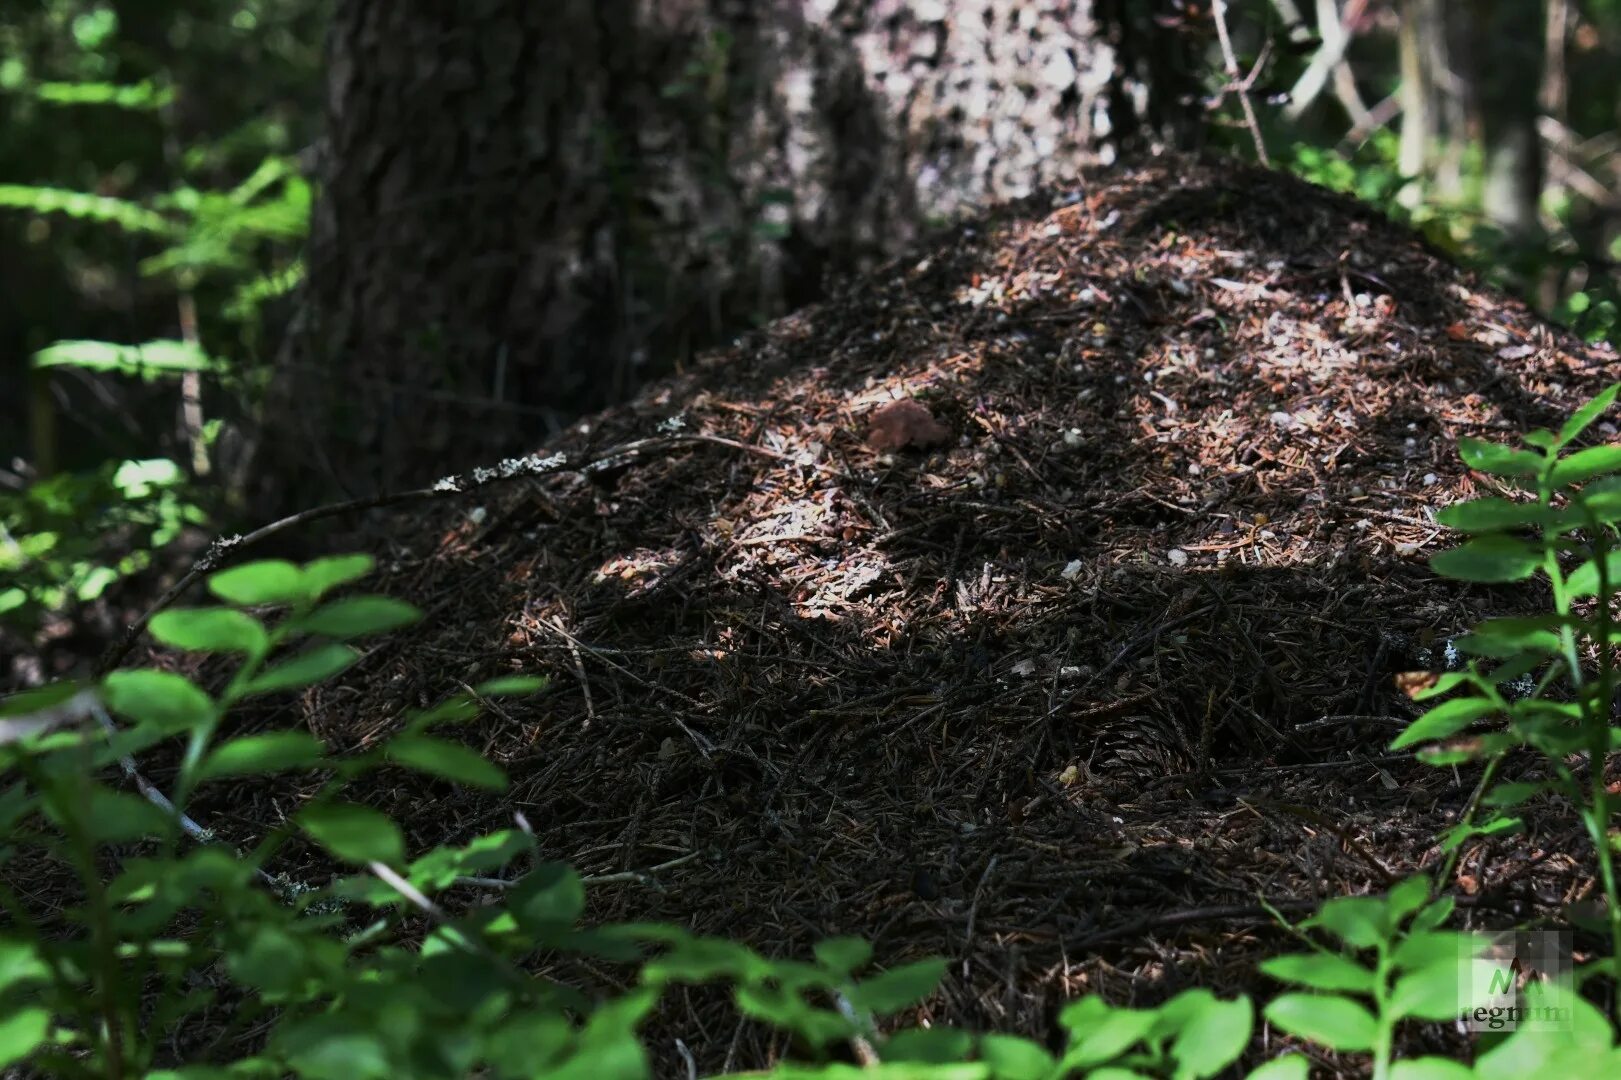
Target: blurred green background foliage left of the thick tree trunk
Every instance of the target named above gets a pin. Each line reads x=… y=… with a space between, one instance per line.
x=152 y=187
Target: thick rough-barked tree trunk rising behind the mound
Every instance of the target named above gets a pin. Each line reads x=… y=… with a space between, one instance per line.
x=531 y=207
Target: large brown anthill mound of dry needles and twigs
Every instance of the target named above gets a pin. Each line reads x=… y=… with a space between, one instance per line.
x=1059 y=693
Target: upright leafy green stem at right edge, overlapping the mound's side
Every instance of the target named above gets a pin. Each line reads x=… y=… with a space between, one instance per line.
x=1563 y=533
